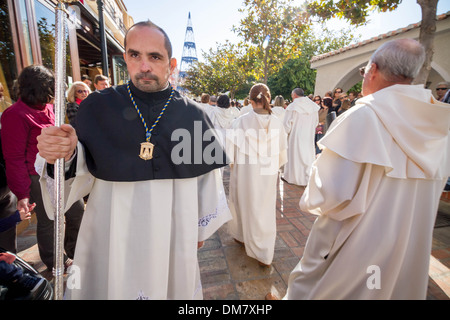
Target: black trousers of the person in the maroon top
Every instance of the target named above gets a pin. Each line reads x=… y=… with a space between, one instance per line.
x=45 y=226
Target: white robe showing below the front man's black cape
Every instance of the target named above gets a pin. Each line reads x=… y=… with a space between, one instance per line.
x=138 y=240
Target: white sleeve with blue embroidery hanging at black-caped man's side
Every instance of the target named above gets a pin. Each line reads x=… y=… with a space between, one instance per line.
x=213 y=206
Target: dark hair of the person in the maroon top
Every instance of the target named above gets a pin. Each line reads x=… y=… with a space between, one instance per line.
x=36 y=85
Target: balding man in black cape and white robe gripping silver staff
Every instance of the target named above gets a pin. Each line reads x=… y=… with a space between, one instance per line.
x=145 y=217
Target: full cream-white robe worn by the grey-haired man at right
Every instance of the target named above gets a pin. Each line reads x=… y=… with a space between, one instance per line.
x=375 y=188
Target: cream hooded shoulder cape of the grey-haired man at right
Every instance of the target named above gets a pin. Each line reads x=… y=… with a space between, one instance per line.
x=404 y=128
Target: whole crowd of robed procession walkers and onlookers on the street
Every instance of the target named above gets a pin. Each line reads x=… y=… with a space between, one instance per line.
x=147 y=213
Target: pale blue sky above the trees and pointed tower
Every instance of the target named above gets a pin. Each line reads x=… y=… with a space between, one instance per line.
x=212 y=20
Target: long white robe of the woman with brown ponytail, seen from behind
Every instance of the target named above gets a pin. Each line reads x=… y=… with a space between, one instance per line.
x=257 y=150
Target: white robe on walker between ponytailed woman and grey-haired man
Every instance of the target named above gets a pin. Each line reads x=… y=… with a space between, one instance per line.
x=300 y=121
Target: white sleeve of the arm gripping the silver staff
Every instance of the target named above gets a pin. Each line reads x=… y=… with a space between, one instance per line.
x=74 y=188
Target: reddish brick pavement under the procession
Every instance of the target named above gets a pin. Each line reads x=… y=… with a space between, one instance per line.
x=228 y=274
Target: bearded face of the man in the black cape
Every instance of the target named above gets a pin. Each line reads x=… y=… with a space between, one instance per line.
x=147 y=59
